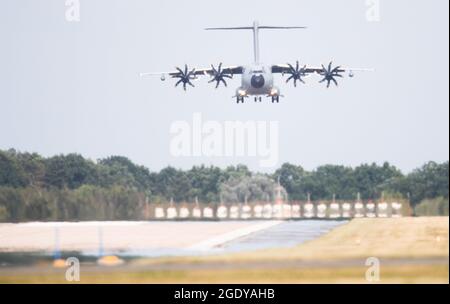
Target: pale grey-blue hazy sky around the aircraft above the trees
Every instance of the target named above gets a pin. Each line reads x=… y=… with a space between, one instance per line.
x=74 y=86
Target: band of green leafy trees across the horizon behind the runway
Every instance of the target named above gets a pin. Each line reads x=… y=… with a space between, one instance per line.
x=68 y=187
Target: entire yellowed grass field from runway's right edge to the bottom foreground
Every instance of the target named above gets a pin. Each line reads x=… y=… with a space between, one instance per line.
x=410 y=250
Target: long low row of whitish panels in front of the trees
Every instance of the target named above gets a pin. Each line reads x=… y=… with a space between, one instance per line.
x=295 y=210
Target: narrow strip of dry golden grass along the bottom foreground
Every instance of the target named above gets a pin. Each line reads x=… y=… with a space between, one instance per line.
x=389 y=274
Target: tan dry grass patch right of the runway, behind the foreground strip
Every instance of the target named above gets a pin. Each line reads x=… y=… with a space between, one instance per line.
x=426 y=237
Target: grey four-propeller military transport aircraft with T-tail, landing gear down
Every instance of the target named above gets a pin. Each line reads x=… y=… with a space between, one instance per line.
x=258 y=78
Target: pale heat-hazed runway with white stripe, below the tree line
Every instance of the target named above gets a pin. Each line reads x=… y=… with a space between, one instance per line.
x=156 y=239
